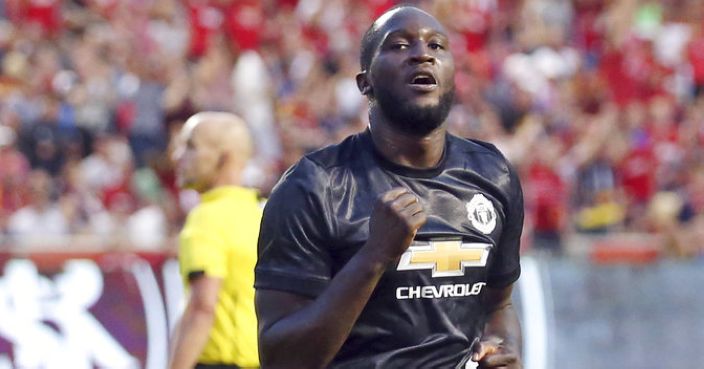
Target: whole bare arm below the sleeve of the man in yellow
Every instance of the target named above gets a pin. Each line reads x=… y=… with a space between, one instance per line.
x=191 y=334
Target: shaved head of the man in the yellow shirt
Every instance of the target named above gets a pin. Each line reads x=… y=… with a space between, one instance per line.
x=213 y=149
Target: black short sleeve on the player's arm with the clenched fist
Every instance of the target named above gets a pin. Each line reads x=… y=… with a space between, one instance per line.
x=295 y=234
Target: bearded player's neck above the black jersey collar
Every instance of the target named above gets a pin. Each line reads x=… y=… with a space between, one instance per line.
x=402 y=148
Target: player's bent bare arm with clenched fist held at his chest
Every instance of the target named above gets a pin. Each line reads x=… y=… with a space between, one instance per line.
x=299 y=331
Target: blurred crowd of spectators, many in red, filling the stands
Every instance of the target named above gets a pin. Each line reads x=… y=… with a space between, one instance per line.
x=599 y=105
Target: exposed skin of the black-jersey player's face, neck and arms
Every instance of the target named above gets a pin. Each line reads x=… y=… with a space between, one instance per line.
x=300 y=332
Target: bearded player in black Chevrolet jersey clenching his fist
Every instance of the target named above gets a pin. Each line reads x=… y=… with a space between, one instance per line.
x=398 y=247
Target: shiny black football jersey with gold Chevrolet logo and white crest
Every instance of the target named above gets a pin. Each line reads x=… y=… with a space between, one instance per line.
x=426 y=310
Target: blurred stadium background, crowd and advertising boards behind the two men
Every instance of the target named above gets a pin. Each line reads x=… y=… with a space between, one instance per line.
x=599 y=104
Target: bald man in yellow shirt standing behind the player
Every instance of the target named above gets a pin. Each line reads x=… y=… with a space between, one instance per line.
x=217 y=250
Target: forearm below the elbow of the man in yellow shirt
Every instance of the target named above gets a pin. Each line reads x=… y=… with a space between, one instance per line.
x=190 y=337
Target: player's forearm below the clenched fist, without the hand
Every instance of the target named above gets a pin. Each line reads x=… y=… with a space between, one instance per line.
x=310 y=337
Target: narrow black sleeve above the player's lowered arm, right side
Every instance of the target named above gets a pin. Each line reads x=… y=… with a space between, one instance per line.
x=506 y=267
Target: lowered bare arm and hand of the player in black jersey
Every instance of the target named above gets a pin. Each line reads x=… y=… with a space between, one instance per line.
x=500 y=345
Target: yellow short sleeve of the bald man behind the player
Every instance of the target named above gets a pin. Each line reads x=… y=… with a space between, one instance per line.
x=201 y=250
